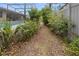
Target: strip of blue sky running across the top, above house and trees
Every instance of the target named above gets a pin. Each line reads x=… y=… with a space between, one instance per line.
x=22 y=8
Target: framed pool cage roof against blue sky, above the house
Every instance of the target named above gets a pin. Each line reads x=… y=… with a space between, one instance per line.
x=19 y=8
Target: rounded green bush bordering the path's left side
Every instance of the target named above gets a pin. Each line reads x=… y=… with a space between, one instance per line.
x=26 y=30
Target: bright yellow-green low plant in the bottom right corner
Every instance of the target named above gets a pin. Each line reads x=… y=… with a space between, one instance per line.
x=73 y=48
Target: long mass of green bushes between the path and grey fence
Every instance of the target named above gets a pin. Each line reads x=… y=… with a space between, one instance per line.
x=56 y=22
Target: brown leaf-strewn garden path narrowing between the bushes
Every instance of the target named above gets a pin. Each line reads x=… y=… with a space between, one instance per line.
x=43 y=43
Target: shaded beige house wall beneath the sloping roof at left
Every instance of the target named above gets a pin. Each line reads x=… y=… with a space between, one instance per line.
x=10 y=16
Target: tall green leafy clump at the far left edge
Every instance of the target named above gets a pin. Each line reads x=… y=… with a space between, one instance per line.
x=5 y=36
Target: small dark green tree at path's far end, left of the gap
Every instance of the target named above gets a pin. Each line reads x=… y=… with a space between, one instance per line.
x=34 y=14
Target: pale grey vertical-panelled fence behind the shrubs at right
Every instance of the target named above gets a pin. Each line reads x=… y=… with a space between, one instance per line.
x=72 y=12
